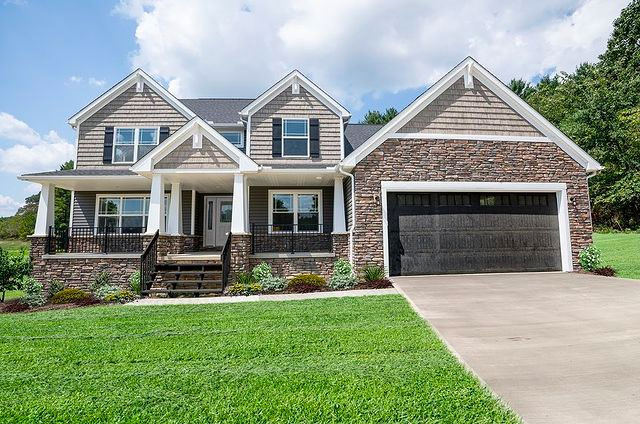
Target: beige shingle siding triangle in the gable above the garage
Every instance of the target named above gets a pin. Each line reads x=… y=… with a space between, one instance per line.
x=469 y=111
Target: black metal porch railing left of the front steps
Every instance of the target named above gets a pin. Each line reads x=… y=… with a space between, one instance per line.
x=95 y=240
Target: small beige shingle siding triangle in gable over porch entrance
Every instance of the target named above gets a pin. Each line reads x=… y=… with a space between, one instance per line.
x=186 y=157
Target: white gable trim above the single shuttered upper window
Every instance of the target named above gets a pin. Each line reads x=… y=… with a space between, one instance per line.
x=284 y=83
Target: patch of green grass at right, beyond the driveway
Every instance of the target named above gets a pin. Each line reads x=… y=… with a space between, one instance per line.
x=621 y=251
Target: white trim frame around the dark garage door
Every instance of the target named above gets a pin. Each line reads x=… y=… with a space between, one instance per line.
x=463 y=186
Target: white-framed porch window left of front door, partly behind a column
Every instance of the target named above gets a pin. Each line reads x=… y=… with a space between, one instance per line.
x=126 y=213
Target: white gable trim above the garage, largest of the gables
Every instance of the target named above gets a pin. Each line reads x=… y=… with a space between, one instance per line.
x=469 y=69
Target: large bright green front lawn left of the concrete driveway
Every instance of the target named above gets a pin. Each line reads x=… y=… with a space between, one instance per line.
x=368 y=359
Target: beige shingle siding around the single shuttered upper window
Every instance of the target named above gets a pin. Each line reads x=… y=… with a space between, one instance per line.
x=287 y=105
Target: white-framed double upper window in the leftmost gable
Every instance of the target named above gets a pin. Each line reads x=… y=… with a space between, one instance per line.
x=130 y=144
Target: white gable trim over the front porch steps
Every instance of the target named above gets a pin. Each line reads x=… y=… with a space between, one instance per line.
x=195 y=125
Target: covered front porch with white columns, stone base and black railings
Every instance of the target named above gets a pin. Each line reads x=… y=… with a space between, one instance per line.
x=297 y=224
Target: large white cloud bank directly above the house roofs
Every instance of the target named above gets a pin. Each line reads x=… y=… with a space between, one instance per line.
x=239 y=48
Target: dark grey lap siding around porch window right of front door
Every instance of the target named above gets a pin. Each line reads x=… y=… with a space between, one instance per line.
x=259 y=204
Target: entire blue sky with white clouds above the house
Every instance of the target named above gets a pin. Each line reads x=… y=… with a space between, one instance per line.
x=58 y=56
